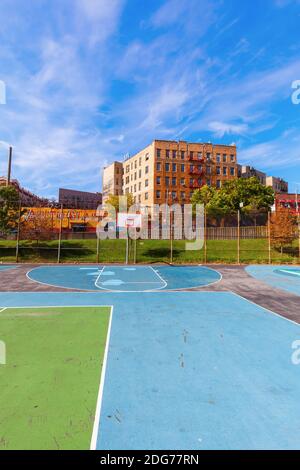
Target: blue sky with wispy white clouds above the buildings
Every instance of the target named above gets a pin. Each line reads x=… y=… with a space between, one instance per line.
x=89 y=81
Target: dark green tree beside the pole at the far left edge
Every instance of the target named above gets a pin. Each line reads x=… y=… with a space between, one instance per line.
x=9 y=209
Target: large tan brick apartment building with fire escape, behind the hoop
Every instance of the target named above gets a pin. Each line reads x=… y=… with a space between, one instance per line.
x=169 y=171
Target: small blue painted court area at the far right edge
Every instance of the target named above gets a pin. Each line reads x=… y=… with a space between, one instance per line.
x=281 y=277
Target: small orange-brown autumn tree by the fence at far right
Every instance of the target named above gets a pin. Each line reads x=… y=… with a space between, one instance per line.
x=282 y=229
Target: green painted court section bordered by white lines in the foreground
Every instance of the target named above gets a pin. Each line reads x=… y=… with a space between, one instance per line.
x=50 y=382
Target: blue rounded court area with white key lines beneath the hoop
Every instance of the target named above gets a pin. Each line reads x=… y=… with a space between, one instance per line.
x=124 y=278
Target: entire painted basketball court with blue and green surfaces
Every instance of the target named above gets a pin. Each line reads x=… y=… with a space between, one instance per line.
x=185 y=358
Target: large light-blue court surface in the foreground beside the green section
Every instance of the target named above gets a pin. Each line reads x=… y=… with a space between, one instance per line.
x=190 y=370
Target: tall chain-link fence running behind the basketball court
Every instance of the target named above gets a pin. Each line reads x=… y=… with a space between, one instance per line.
x=67 y=236
